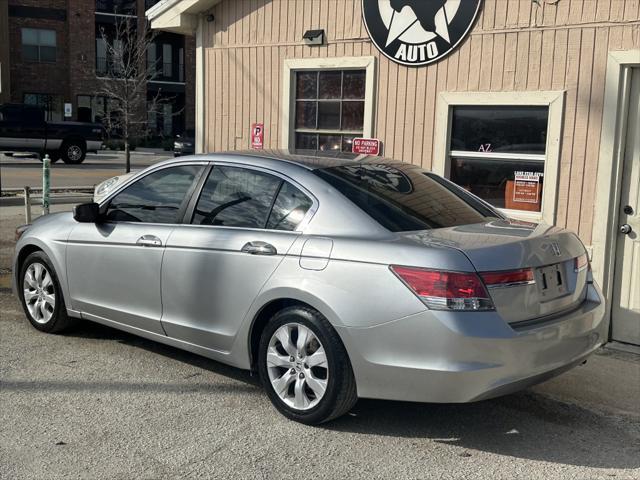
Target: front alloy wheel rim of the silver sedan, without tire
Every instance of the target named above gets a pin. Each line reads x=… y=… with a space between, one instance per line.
x=39 y=292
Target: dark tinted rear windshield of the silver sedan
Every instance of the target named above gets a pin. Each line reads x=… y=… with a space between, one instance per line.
x=405 y=198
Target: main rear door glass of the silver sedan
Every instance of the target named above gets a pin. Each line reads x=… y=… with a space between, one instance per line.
x=236 y=197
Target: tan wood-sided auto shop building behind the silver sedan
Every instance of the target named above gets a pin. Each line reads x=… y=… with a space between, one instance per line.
x=531 y=105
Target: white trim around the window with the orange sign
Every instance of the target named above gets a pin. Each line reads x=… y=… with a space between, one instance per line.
x=554 y=100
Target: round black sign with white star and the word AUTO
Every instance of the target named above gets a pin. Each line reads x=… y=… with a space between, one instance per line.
x=418 y=32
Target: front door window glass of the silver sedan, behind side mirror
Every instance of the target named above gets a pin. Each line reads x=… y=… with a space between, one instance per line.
x=159 y=197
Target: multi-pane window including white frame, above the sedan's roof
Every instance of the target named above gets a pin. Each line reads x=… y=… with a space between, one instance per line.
x=329 y=102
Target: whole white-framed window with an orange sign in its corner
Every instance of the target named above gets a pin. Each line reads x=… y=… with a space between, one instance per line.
x=502 y=147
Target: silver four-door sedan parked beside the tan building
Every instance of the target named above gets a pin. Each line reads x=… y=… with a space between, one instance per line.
x=333 y=279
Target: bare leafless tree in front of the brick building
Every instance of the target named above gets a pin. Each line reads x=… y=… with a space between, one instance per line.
x=125 y=73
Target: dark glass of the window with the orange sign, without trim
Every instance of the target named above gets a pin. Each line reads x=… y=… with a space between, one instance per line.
x=498 y=153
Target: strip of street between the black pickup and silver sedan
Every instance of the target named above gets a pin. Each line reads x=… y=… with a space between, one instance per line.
x=18 y=171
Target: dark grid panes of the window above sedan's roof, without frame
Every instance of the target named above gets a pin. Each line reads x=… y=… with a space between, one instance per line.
x=329 y=109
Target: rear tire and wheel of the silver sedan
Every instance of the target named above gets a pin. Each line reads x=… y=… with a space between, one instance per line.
x=295 y=386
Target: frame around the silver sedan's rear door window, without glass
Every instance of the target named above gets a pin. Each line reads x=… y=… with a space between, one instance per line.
x=188 y=217
